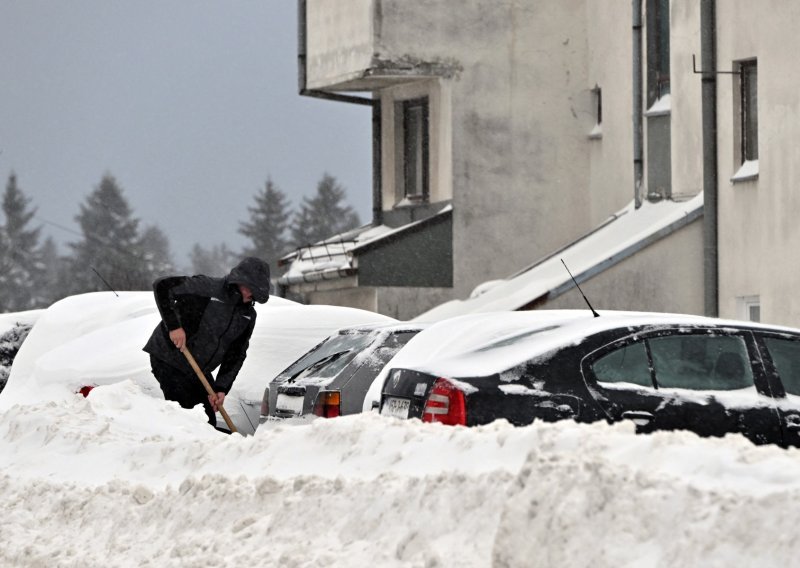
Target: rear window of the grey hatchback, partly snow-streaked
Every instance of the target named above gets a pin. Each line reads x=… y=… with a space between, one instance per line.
x=329 y=357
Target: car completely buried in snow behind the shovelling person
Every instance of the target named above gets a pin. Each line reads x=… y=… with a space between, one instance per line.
x=95 y=339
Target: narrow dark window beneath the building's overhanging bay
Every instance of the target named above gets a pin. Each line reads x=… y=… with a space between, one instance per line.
x=413 y=143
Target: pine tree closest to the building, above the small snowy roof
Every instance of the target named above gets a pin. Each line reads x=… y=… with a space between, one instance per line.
x=324 y=215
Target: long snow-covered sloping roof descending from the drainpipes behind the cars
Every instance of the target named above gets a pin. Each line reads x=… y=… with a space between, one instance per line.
x=625 y=233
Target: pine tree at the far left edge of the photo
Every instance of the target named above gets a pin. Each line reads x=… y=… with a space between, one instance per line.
x=20 y=265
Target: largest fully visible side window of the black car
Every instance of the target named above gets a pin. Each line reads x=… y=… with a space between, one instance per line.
x=701 y=362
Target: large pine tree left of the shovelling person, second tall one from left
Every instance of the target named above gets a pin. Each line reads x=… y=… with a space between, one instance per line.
x=110 y=249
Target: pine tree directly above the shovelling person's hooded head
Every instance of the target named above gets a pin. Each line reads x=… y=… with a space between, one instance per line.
x=266 y=229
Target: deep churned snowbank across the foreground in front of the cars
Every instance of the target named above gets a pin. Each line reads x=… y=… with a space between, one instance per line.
x=124 y=478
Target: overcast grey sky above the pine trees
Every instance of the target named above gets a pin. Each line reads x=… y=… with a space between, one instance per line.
x=189 y=104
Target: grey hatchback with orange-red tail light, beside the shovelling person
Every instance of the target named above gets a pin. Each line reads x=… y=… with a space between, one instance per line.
x=332 y=378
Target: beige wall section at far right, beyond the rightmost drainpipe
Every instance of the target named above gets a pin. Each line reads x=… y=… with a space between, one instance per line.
x=759 y=232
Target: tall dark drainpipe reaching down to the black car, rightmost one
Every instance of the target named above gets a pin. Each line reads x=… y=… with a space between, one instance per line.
x=708 y=58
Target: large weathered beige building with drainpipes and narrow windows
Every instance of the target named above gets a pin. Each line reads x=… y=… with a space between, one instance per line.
x=504 y=132
